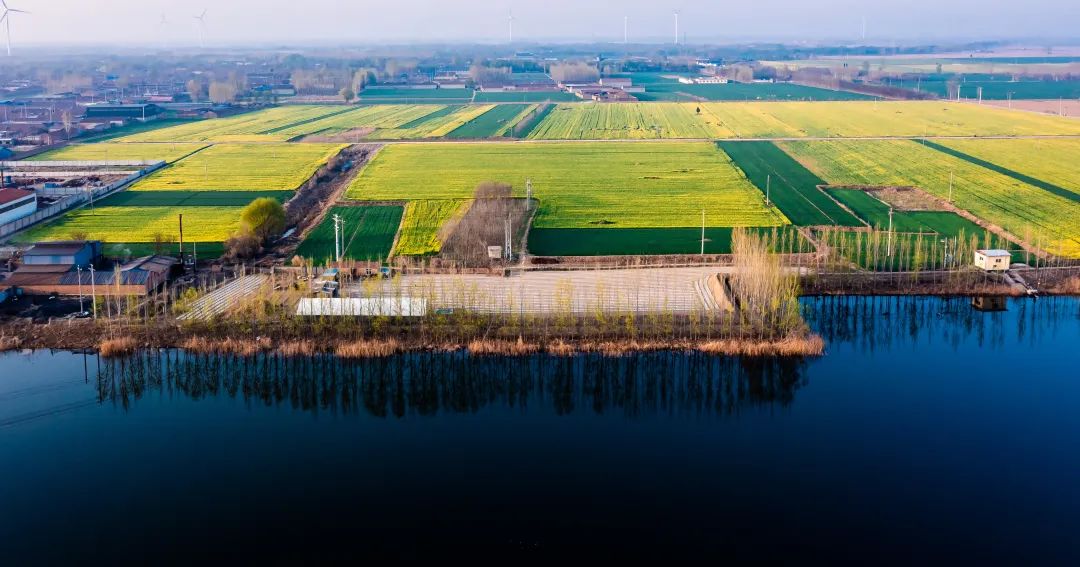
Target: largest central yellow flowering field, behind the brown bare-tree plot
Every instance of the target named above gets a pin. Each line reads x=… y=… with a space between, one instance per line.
x=613 y=185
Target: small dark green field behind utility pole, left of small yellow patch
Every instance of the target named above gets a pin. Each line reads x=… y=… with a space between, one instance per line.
x=368 y=234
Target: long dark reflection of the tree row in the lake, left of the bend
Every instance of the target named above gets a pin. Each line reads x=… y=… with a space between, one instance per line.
x=429 y=384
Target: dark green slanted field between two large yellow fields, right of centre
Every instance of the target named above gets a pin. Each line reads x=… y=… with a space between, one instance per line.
x=791 y=187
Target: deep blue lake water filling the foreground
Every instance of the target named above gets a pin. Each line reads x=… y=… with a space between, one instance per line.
x=931 y=431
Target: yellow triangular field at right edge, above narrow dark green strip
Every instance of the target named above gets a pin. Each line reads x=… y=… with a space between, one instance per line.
x=1050 y=161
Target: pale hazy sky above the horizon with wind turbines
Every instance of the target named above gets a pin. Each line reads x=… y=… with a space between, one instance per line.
x=233 y=22
